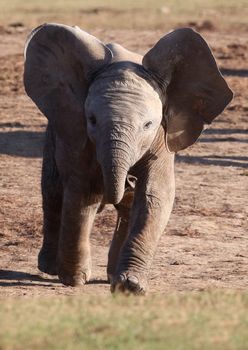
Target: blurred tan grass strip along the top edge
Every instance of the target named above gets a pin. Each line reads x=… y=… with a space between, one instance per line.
x=116 y=14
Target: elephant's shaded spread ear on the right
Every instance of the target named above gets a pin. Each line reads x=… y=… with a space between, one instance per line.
x=195 y=91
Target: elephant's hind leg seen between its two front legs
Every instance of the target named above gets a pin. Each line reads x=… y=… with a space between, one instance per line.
x=120 y=234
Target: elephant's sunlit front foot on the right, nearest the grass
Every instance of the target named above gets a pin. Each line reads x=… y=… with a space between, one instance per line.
x=129 y=283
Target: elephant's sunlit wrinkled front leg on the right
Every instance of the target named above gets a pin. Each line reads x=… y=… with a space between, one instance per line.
x=151 y=210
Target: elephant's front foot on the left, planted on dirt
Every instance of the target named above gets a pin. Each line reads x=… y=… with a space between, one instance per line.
x=74 y=276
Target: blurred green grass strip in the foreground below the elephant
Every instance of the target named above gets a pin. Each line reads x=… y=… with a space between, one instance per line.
x=206 y=320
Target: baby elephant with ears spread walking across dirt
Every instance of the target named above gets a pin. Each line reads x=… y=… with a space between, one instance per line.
x=115 y=120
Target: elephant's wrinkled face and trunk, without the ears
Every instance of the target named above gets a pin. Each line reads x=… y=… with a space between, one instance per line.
x=123 y=113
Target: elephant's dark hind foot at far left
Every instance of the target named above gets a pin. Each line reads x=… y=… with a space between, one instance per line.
x=47 y=261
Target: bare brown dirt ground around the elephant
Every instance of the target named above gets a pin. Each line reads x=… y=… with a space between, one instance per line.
x=206 y=242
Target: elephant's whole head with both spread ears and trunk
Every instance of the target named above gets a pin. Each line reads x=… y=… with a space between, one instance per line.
x=119 y=99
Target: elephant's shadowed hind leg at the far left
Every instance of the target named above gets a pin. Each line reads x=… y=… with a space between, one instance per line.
x=52 y=206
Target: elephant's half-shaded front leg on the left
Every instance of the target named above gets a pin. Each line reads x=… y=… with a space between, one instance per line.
x=74 y=258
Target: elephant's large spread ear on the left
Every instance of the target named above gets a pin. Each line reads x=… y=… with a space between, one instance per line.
x=60 y=62
